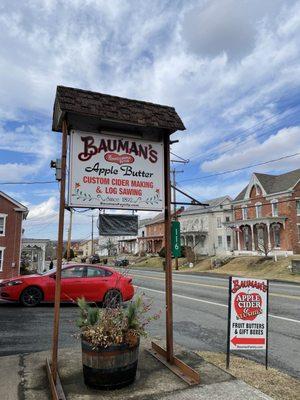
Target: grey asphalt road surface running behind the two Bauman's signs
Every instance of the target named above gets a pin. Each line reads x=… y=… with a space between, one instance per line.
x=200 y=319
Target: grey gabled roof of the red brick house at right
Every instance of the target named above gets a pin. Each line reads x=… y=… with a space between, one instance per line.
x=274 y=183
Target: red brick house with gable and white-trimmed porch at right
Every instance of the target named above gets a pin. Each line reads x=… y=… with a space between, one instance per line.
x=267 y=215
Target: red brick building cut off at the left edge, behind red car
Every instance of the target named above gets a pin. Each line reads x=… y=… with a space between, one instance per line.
x=12 y=214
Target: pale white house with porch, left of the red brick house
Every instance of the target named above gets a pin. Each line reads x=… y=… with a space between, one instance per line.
x=202 y=227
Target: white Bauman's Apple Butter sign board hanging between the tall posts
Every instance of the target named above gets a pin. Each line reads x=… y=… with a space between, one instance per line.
x=115 y=172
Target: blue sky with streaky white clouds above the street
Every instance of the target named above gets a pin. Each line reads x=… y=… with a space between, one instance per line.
x=231 y=69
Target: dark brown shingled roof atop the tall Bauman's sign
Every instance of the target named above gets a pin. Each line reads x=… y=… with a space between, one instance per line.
x=102 y=106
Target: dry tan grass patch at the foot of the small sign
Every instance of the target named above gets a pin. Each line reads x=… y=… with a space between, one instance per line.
x=272 y=382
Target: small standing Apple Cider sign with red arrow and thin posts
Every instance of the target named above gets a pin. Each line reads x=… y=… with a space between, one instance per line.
x=247 y=327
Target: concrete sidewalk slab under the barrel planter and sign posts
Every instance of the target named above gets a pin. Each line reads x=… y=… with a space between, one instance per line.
x=23 y=377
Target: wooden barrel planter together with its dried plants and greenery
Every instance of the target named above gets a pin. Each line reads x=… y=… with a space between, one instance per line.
x=110 y=341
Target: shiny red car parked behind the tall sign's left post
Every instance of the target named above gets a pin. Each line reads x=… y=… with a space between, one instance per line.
x=94 y=283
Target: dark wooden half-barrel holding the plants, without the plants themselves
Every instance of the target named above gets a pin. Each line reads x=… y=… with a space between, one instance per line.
x=109 y=368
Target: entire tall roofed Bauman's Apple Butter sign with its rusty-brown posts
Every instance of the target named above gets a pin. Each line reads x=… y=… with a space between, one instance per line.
x=115 y=147
